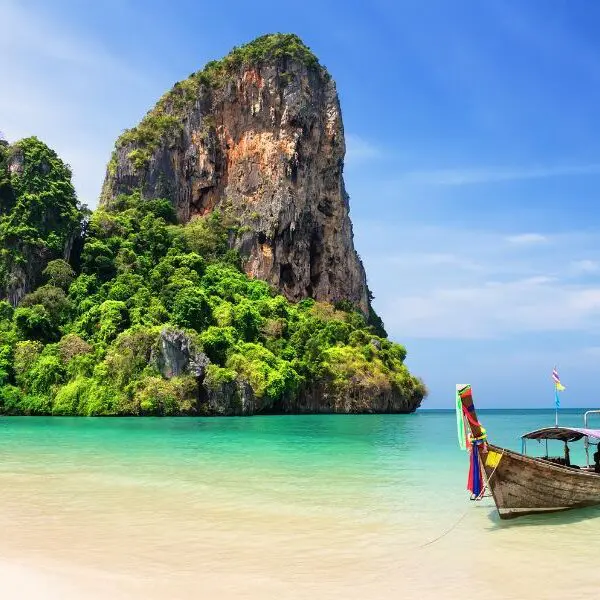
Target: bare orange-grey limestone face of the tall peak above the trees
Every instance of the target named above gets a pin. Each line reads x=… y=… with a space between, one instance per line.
x=258 y=136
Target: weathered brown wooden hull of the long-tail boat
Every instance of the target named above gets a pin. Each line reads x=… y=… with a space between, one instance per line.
x=523 y=485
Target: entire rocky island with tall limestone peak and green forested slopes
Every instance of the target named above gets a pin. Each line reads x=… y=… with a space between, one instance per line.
x=218 y=275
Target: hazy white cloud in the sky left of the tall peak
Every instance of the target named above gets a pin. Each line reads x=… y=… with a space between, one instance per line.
x=64 y=86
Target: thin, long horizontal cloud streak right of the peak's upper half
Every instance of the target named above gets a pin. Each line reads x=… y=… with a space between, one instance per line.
x=480 y=175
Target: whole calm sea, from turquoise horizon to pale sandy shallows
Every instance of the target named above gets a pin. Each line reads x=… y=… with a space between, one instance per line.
x=275 y=507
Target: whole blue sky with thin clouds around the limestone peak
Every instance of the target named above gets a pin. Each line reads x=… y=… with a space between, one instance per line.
x=473 y=160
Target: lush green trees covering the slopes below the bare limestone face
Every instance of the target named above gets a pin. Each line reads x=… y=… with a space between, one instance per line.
x=88 y=340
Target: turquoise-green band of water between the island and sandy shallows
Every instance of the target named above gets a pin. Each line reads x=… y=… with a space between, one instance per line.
x=353 y=454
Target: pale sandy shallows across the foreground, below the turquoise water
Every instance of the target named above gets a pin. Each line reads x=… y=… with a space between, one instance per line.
x=68 y=536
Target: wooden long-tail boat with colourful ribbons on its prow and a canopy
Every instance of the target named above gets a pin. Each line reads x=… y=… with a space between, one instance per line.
x=522 y=484
